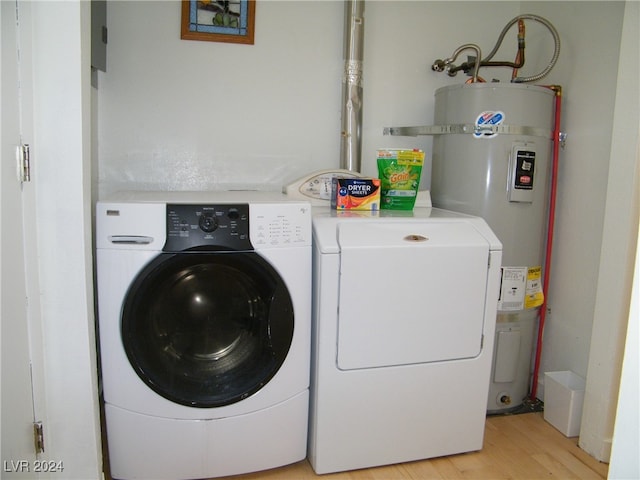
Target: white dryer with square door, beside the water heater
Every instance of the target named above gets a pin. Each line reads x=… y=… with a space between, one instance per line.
x=404 y=307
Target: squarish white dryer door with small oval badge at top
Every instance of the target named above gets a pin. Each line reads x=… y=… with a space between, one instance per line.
x=410 y=293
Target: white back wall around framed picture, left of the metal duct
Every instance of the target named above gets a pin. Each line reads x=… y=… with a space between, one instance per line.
x=192 y=115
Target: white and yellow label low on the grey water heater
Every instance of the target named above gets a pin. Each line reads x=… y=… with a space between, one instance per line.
x=520 y=288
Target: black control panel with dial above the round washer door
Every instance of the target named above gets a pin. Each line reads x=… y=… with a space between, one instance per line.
x=207 y=227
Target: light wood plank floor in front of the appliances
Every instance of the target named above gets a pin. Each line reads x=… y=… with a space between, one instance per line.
x=515 y=447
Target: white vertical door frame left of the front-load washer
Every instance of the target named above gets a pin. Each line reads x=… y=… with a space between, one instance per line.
x=60 y=165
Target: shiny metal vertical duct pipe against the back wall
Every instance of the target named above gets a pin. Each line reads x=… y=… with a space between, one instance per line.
x=351 y=144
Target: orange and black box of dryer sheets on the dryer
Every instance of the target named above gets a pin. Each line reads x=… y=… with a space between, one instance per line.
x=355 y=193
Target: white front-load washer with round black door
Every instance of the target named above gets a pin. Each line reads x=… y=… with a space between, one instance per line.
x=204 y=304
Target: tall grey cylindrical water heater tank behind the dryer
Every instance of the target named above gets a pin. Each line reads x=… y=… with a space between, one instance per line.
x=493 y=159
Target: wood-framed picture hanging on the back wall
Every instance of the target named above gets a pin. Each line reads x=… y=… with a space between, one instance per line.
x=229 y=21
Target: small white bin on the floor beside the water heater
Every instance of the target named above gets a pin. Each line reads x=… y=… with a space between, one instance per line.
x=563 y=398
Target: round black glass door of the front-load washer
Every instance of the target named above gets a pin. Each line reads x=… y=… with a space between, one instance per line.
x=207 y=329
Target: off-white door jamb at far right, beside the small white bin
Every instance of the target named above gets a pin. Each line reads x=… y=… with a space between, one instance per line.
x=619 y=241
